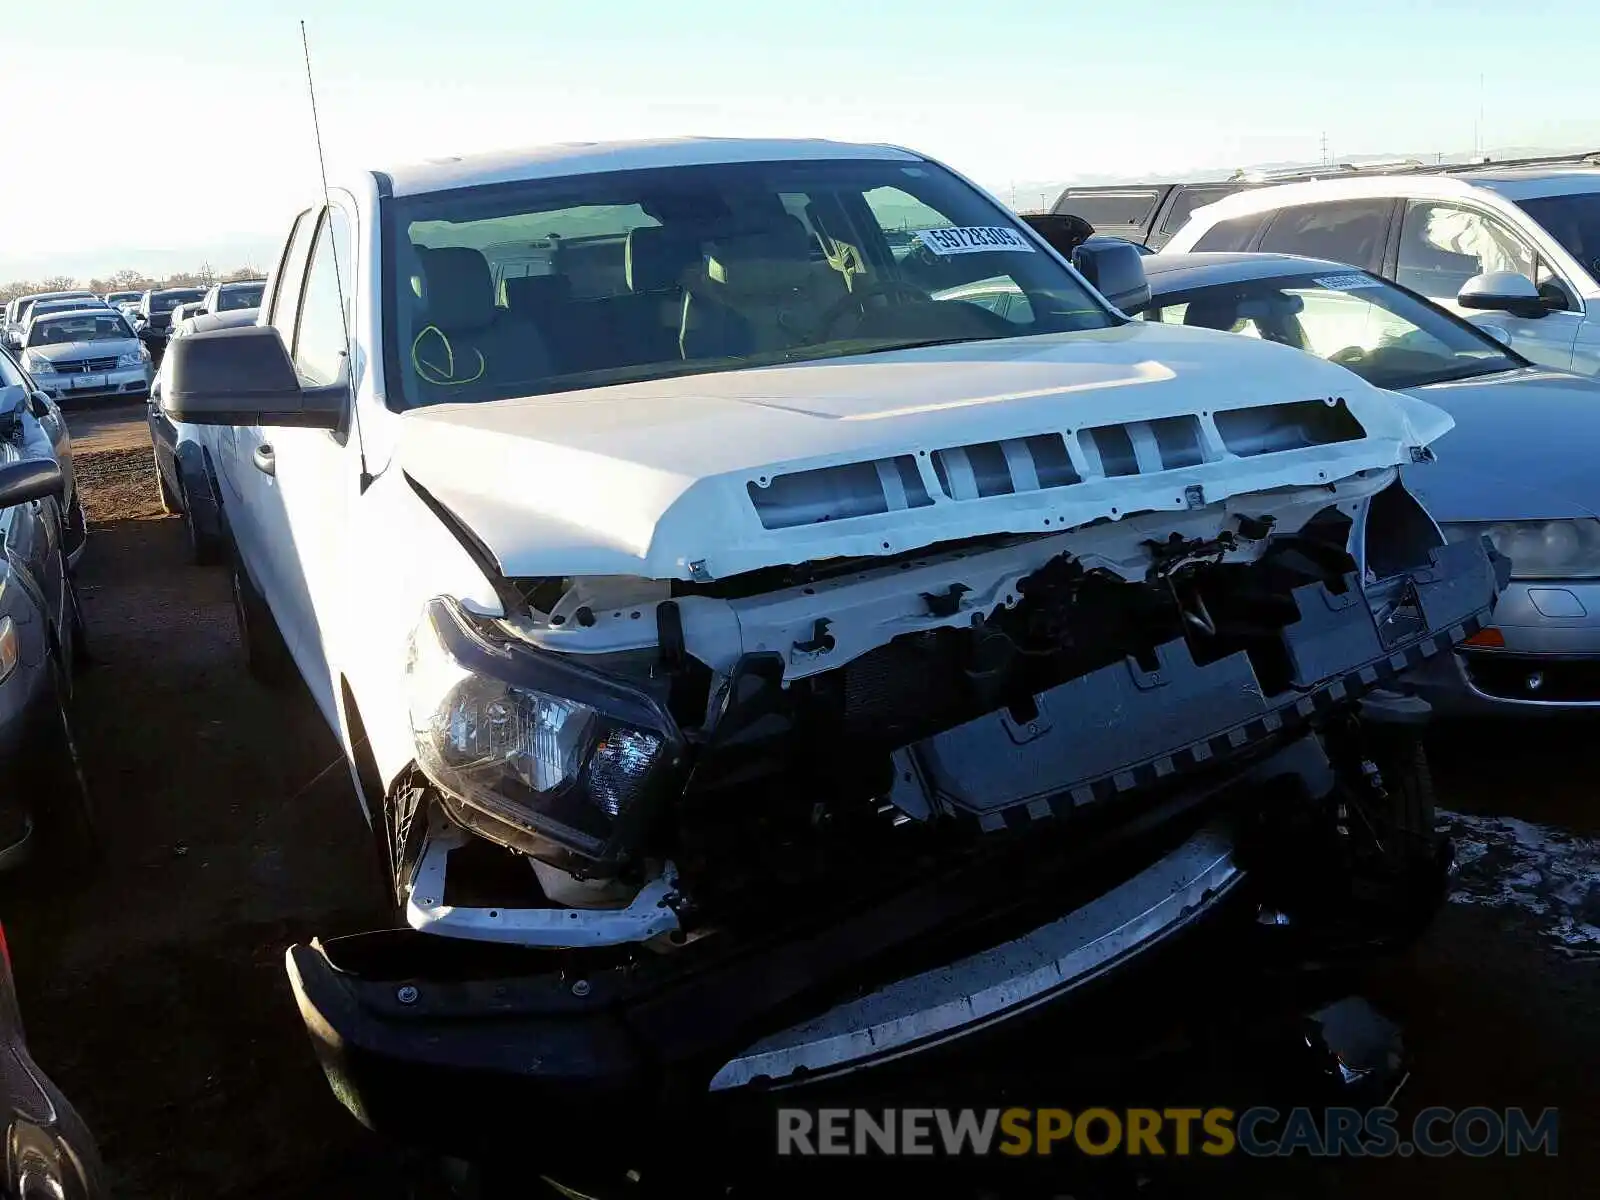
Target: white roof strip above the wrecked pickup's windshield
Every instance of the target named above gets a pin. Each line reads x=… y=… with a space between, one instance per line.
x=540 y=162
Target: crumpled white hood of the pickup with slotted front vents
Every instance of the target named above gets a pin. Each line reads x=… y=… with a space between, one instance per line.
x=660 y=479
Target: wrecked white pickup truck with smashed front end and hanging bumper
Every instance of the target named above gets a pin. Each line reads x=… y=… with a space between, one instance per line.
x=750 y=644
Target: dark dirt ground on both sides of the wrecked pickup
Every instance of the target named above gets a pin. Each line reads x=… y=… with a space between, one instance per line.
x=156 y=996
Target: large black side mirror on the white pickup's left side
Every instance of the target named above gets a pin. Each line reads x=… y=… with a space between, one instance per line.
x=244 y=377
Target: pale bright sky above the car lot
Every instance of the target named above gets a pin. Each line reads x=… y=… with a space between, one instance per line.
x=196 y=135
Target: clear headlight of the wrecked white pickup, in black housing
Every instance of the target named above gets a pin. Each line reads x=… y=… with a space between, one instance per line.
x=550 y=751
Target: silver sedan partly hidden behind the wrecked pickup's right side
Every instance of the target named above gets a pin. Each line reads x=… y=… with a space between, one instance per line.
x=1519 y=466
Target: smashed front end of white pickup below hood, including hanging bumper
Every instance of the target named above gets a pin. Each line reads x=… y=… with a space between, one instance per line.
x=801 y=822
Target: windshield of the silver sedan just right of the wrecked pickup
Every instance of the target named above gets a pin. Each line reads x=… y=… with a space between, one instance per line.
x=1388 y=337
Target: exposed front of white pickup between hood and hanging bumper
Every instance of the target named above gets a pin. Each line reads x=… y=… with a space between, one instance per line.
x=836 y=730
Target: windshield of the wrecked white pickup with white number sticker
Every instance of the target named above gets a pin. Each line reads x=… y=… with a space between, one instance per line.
x=578 y=282
